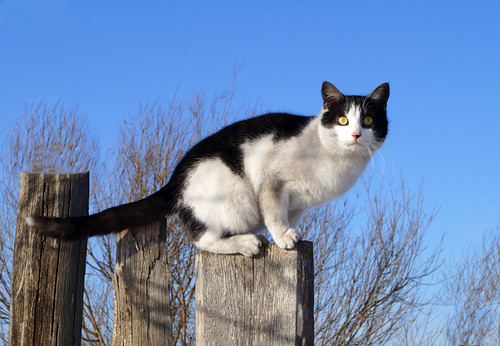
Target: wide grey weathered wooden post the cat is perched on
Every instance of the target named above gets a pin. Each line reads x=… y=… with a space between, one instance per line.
x=266 y=300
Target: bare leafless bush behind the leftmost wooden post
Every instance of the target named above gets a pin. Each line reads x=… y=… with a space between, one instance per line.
x=47 y=140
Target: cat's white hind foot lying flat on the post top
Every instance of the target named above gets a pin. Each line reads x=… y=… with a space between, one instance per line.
x=246 y=244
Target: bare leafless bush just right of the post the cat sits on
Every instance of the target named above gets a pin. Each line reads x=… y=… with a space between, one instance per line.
x=369 y=269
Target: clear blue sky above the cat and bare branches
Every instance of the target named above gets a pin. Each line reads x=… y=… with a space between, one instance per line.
x=442 y=59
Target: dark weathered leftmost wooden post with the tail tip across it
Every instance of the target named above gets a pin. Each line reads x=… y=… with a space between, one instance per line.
x=48 y=275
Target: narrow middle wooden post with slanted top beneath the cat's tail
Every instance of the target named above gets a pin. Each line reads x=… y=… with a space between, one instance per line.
x=141 y=284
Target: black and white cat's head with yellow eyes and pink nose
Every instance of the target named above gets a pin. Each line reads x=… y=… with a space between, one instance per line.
x=353 y=124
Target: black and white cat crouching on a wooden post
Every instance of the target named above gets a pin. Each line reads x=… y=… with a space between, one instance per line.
x=254 y=174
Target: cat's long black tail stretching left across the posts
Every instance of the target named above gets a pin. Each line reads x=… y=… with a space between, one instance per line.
x=111 y=220
